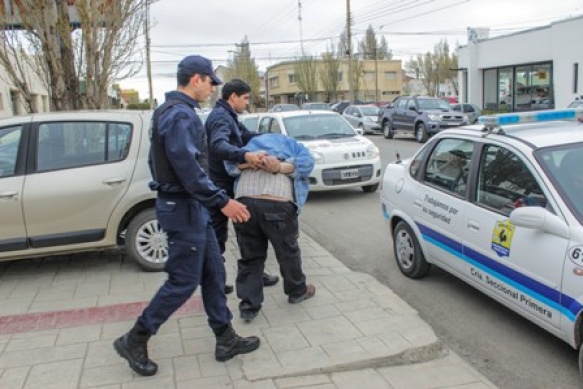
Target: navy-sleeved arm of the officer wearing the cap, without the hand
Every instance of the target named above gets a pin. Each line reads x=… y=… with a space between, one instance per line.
x=180 y=145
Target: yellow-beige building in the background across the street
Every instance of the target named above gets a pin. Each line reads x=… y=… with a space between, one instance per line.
x=378 y=81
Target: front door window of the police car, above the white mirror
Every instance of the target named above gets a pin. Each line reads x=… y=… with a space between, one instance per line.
x=505 y=182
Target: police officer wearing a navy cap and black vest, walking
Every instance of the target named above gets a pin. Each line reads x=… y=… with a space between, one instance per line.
x=179 y=161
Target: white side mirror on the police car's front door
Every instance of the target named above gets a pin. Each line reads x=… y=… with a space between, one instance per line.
x=539 y=218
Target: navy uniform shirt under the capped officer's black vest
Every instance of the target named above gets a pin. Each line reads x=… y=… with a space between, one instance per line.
x=183 y=136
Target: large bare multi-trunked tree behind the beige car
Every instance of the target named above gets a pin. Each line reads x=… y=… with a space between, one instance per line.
x=78 y=48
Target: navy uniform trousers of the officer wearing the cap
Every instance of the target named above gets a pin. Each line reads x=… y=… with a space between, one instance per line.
x=193 y=259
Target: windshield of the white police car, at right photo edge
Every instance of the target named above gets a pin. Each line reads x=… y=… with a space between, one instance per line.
x=563 y=164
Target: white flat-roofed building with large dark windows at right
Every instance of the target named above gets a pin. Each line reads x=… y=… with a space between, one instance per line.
x=533 y=69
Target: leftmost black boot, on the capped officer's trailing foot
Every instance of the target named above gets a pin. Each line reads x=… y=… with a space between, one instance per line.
x=133 y=346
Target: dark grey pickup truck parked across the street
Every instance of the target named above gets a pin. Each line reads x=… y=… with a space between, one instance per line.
x=422 y=116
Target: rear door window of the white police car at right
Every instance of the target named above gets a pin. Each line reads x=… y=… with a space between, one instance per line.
x=448 y=165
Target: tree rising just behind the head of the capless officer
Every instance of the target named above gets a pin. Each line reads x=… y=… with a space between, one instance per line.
x=243 y=67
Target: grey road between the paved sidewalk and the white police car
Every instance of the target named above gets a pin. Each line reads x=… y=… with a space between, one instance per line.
x=509 y=350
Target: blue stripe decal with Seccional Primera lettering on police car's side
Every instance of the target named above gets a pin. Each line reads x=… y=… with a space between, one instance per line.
x=533 y=294
